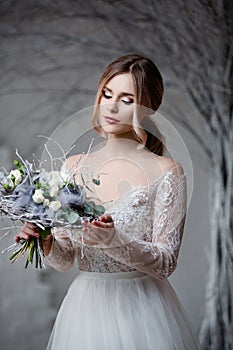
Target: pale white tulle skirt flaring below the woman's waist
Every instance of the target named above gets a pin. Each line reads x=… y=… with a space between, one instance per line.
x=121 y=311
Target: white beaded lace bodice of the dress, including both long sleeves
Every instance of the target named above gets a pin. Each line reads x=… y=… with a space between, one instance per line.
x=149 y=223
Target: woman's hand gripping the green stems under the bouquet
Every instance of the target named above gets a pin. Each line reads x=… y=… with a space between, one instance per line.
x=29 y=229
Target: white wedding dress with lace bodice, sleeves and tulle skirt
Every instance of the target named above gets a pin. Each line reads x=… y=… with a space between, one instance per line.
x=121 y=299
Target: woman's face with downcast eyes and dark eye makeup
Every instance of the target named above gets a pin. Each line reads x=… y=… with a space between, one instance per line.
x=116 y=106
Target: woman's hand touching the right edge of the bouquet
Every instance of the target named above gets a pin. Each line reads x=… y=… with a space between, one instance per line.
x=99 y=232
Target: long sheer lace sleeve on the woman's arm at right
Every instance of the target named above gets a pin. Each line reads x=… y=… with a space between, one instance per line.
x=157 y=255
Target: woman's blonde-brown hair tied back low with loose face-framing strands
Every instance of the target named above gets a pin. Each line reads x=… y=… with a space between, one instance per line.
x=148 y=85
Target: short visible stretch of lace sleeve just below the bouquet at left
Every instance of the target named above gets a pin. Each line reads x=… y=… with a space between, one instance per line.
x=62 y=253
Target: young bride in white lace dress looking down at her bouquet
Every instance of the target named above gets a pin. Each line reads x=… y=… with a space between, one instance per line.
x=121 y=299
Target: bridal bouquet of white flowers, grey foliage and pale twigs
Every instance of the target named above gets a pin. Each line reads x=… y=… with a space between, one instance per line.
x=47 y=199
